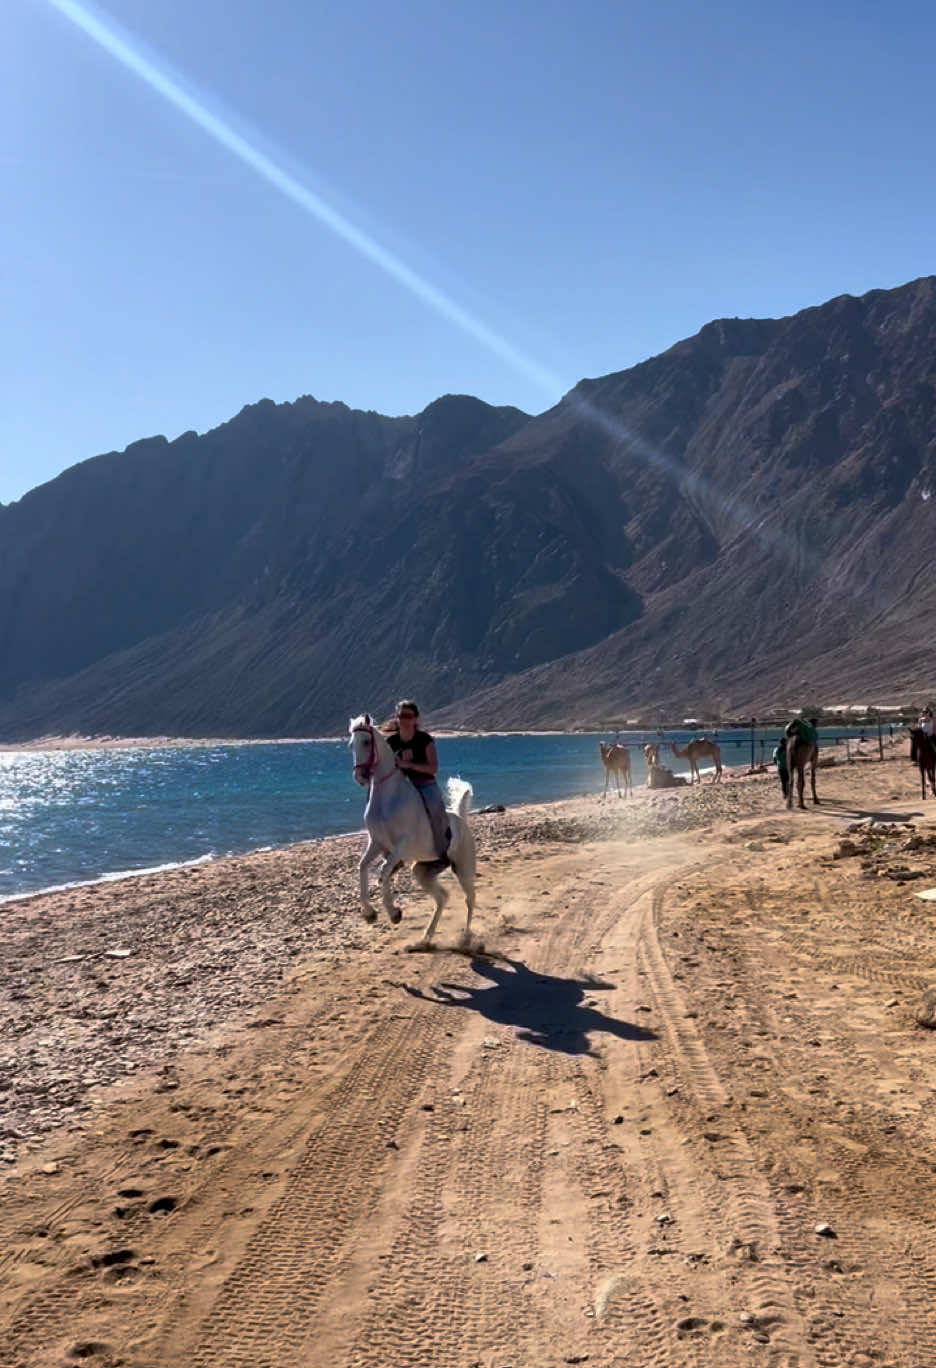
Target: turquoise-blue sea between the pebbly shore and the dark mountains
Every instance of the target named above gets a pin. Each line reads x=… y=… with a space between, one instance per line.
x=76 y=816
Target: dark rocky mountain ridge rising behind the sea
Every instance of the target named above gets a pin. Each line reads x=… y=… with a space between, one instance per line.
x=734 y=525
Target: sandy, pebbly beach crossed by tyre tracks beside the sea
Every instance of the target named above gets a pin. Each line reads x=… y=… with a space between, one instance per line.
x=679 y=1113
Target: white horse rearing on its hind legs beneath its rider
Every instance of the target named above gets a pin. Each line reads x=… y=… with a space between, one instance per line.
x=399 y=828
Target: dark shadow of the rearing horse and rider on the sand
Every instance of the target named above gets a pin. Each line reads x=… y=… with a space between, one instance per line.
x=543 y=1009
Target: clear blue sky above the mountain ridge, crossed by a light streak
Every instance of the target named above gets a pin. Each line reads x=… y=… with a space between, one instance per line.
x=536 y=192
